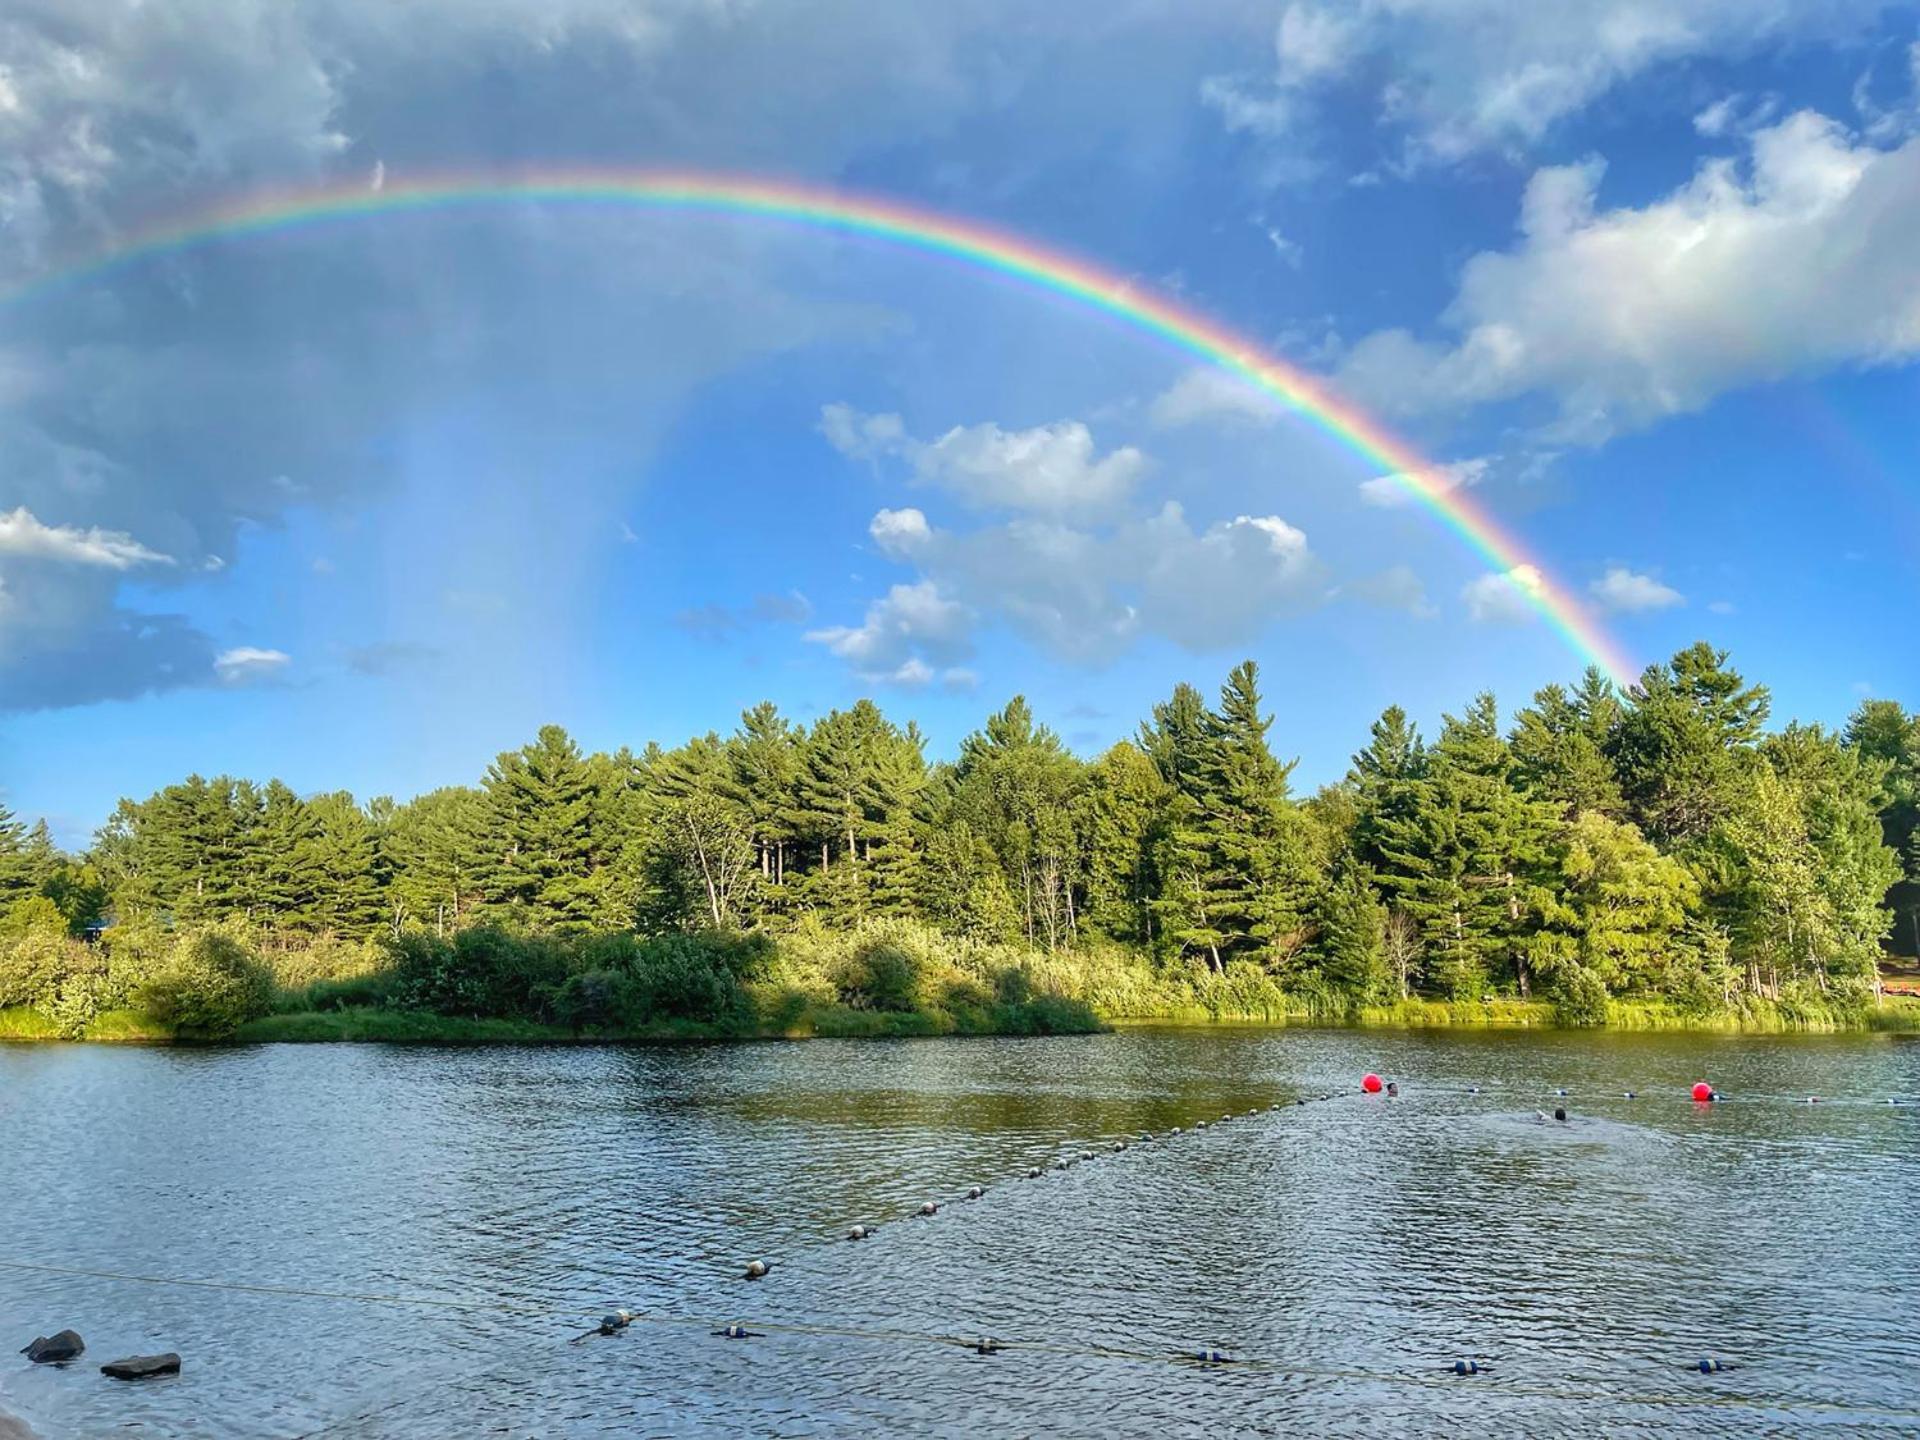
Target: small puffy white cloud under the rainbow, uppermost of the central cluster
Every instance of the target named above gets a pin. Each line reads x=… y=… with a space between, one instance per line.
x=1051 y=469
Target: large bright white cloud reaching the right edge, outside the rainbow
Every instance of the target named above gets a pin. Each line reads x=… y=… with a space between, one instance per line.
x=1794 y=266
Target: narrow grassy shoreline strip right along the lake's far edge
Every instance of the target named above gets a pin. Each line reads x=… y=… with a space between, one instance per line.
x=385 y=1026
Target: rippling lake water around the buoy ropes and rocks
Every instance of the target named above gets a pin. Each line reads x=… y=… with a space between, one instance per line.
x=1343 y=1253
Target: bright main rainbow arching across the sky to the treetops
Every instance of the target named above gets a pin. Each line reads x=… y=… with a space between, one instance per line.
x=919 y=229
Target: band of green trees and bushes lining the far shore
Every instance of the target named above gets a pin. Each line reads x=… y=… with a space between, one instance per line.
x=1662 y=850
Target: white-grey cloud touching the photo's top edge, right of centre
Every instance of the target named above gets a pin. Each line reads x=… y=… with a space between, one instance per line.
x=1472 y=76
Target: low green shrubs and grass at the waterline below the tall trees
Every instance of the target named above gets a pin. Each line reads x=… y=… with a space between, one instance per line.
x=880 y=980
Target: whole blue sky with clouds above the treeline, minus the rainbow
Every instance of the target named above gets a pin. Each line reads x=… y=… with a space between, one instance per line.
x=364 y=506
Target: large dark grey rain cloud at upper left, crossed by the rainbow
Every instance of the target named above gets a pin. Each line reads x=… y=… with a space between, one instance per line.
x=191 y=396
